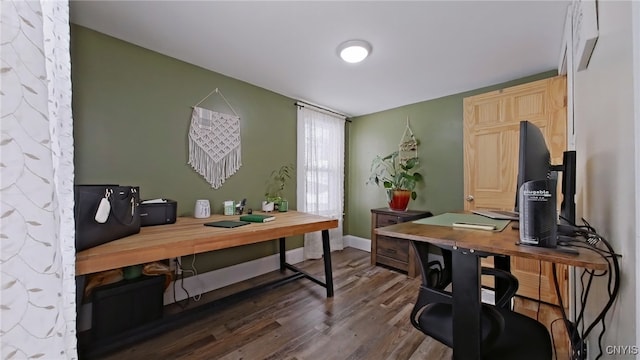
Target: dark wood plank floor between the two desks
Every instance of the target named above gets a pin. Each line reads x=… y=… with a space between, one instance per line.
x=368 y=318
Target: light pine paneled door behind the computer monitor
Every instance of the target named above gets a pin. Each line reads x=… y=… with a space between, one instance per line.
x=491 y=136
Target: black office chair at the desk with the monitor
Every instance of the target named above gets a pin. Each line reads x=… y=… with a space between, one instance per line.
x=505 y=334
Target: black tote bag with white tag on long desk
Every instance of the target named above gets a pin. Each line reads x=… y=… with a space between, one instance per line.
x=122 y=219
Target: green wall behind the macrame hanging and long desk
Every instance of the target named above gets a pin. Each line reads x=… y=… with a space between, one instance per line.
x=132 y=109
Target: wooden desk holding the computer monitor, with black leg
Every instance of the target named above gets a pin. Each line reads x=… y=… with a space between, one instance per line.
x=467 y=247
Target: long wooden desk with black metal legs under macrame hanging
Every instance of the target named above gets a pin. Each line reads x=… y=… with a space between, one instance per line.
x=189 y=236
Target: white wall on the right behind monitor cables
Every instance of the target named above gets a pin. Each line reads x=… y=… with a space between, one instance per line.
x=604 y=103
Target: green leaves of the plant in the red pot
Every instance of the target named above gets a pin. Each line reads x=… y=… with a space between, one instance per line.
x=390 y=173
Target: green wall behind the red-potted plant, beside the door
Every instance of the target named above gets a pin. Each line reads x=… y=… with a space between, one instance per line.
x=437 y=124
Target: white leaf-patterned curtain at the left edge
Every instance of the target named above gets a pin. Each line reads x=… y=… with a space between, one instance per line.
x=37 y=259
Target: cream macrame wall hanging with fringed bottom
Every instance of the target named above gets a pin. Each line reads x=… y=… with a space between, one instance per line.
x=214 y=143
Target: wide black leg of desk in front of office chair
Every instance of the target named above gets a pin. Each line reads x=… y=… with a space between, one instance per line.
x=467 y=307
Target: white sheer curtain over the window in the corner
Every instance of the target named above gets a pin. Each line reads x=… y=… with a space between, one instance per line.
x=320 y=173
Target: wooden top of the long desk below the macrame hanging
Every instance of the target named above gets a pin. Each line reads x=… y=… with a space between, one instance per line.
x=189 y=236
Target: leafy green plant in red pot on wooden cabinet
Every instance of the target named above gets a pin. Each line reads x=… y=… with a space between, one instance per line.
x=399 y=179
